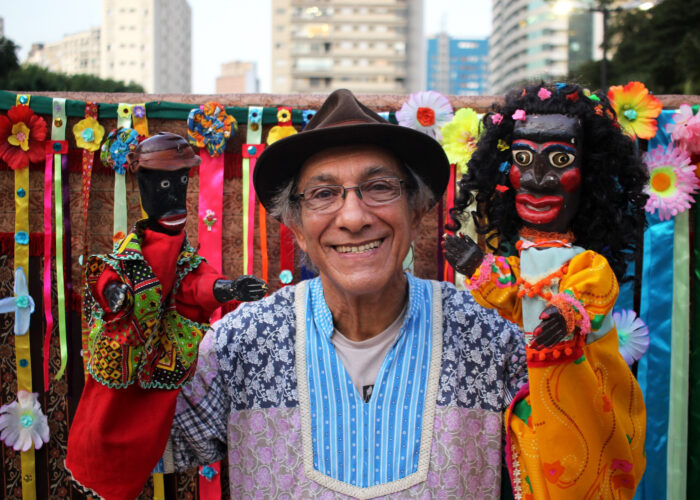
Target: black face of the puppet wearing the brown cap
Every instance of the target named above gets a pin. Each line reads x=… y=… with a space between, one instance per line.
x=164 y=198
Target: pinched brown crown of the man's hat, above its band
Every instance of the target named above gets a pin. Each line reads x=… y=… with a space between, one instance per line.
x=342 y=108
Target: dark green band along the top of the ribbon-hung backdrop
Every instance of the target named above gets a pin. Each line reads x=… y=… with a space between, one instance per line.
x=163 y=110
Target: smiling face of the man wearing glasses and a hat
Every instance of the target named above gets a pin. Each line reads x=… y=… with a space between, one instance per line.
x=357 y=249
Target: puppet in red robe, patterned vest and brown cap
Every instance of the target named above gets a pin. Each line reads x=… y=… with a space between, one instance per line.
x=148 y=305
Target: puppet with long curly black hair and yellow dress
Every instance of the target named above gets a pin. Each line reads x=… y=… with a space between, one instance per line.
x=554 y=177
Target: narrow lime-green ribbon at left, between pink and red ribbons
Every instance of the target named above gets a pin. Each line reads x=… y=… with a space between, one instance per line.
x=58 y=133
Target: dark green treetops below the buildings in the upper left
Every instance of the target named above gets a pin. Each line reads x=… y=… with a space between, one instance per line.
x=32 y=78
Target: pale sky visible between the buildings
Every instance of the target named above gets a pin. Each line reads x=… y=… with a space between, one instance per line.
x=222 y=30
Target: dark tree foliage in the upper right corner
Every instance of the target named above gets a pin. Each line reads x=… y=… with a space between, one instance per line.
x=659 y=47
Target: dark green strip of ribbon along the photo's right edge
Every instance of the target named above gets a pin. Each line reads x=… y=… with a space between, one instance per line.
x=694 y=372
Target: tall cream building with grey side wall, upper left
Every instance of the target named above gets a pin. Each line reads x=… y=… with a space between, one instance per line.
x=148 y=42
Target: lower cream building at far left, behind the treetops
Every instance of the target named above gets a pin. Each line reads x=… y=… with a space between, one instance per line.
x=78 y=53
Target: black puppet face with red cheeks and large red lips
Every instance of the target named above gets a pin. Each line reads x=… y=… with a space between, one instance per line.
x=546 y=171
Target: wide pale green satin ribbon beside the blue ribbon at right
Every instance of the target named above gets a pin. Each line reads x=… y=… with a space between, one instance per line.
x=676 y=465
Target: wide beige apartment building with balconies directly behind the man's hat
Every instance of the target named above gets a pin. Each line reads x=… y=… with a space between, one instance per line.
x=368 y=46
